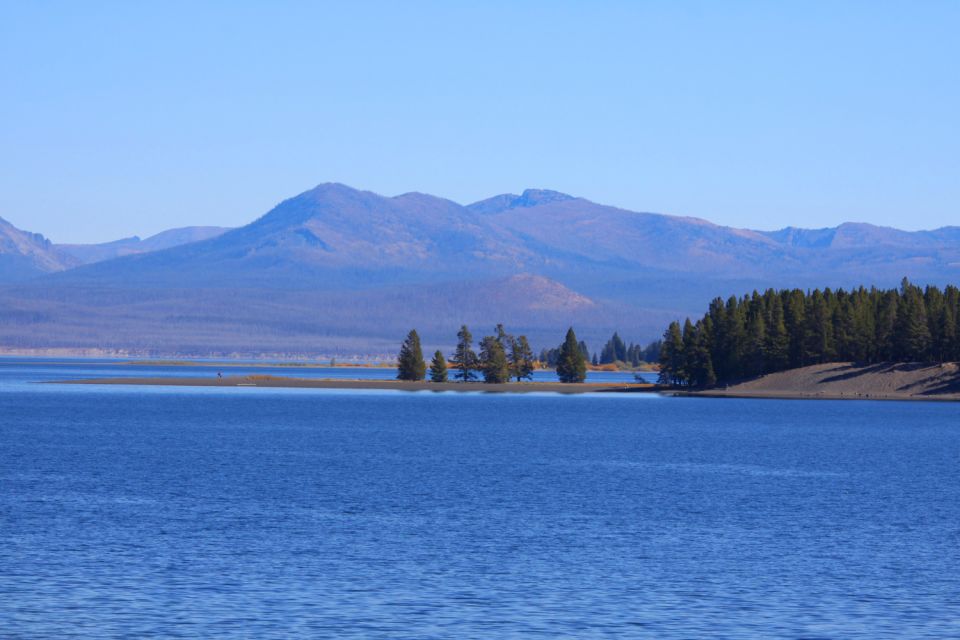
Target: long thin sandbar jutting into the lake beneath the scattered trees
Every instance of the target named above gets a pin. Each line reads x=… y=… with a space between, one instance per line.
x=387 y=385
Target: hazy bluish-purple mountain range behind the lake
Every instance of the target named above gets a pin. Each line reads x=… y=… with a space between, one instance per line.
x=338 y=270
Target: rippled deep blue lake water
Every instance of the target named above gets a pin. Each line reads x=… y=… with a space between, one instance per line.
x=248 y=512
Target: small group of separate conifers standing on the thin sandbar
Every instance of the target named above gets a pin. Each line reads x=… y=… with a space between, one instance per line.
x=502 y=357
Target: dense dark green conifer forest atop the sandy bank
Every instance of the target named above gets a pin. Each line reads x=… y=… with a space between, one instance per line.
x=784 y=329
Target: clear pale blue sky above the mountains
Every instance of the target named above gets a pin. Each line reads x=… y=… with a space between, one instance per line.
x=133 y=117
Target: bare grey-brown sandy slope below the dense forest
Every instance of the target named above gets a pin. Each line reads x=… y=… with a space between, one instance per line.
x=845 y=380
